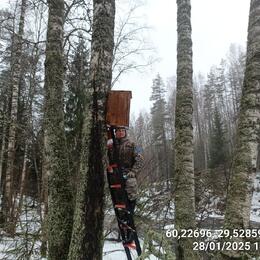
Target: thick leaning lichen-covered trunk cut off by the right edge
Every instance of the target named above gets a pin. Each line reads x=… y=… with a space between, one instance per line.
x=246 y=152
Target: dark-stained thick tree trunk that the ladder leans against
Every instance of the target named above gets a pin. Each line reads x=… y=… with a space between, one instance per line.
x=87 y=238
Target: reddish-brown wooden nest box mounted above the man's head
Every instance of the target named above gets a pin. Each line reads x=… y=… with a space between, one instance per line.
x=118 y=108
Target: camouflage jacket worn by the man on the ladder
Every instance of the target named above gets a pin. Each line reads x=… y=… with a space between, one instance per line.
x=127 y=155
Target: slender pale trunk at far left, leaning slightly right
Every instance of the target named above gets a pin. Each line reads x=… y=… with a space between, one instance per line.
x=15 y=80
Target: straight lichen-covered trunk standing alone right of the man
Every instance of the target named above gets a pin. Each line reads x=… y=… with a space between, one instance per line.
x=184 y=169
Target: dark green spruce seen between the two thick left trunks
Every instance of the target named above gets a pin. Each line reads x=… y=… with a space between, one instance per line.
x=76 y=100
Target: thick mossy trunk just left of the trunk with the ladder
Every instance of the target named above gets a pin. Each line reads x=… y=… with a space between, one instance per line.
x=60 y=210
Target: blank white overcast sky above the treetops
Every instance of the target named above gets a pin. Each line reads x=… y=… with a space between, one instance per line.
x=215 y=25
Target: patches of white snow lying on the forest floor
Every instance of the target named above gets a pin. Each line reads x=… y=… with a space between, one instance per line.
x=12 y=248
